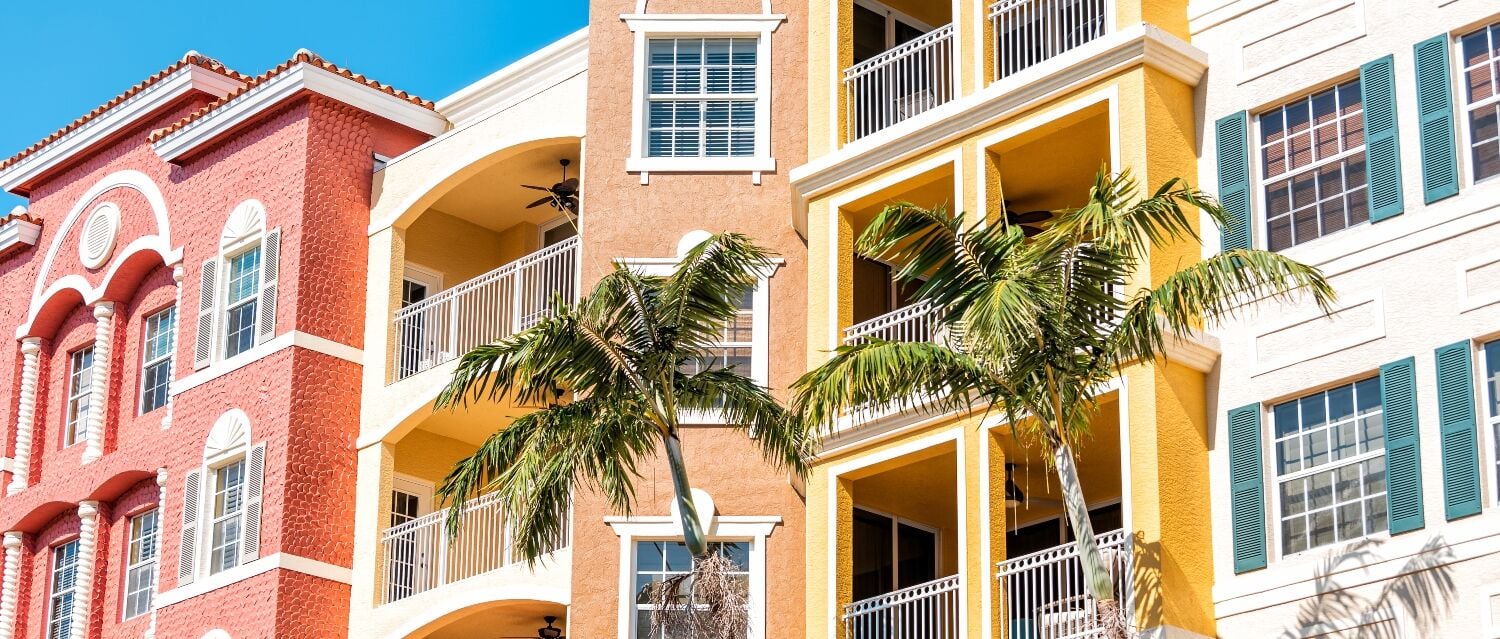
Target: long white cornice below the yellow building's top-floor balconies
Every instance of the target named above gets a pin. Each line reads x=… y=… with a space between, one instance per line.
x=1142 y=44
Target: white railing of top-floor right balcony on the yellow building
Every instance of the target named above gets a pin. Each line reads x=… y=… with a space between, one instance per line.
x=1030 y=32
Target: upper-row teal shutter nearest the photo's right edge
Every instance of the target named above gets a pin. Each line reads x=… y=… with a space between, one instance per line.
x=1435 y=106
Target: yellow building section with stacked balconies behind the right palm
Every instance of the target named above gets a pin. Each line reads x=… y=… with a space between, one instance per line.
x=943 y=523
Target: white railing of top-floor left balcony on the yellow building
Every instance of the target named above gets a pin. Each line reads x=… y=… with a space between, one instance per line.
x=901 y=83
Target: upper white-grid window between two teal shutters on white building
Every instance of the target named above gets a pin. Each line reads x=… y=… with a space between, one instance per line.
x=1313 y=166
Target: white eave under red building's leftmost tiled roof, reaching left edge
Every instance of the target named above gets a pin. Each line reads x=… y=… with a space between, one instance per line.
x=116 y=119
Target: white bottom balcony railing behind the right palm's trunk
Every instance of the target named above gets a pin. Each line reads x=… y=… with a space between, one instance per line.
x=1045 y=595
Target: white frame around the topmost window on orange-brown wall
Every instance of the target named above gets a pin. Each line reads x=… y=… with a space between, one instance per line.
x=646 y=28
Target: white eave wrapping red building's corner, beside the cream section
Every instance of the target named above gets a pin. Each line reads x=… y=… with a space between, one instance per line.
x=299 y=79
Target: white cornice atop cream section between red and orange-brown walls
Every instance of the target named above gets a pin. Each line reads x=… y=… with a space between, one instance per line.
x=520 y=80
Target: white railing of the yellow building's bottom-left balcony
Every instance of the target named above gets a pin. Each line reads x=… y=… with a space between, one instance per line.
x=925 y=611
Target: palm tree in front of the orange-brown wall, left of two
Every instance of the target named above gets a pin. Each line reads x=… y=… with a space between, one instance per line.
x=635 y=355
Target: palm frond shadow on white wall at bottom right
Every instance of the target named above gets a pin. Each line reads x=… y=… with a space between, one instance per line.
x=1423 y=593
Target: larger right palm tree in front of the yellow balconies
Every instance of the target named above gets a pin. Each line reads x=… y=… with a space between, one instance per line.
x=1036 y=326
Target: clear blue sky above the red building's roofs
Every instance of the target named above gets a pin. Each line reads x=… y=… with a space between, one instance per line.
x=68 y=58
